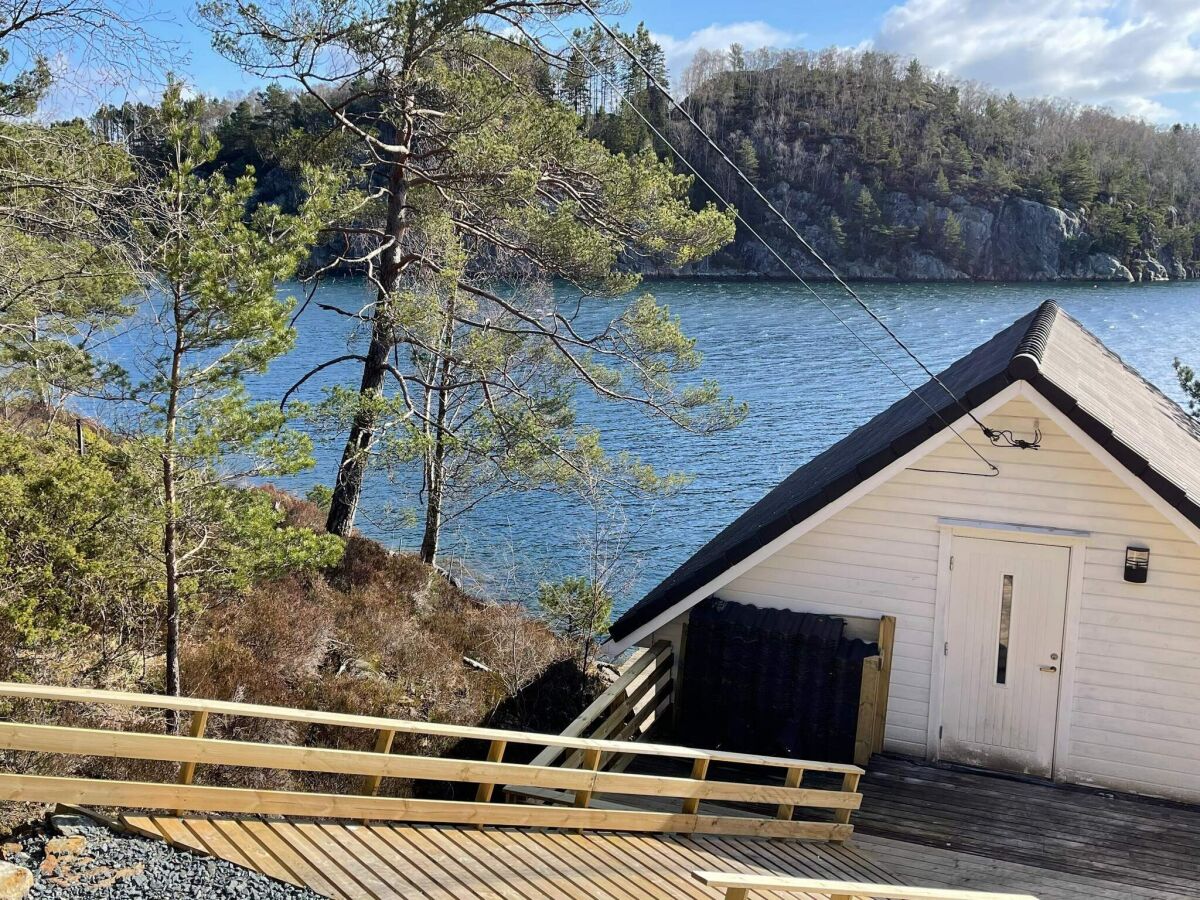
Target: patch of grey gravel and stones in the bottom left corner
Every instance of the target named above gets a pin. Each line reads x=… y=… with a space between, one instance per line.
x=95 y=862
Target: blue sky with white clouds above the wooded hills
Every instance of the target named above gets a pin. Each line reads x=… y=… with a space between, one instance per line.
x=1138 y=57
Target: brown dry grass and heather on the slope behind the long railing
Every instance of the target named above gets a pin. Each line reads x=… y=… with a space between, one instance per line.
x=381 y=635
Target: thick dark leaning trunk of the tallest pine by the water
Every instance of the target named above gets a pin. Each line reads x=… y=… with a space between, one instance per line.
x=356 y=458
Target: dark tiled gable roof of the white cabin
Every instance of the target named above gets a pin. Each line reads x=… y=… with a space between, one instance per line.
x=1147 y=431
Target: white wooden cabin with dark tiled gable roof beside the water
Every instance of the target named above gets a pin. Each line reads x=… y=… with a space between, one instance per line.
x=1023 y=643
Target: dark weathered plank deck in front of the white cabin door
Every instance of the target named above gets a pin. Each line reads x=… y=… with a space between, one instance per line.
x=969 y=830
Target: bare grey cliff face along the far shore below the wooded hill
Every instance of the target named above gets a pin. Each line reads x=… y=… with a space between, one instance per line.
x=1012 y=241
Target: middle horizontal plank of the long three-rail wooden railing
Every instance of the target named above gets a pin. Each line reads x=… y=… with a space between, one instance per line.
x=92 y=742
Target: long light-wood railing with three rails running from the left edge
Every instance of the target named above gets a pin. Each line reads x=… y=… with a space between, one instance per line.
x=585 y=782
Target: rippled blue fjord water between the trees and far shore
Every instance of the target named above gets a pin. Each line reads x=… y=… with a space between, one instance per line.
x=807 y=380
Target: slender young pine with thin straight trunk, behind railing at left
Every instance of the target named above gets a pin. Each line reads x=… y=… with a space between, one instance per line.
x=213 y=268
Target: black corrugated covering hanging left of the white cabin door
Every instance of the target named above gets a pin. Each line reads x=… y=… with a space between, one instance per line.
x=771 y=682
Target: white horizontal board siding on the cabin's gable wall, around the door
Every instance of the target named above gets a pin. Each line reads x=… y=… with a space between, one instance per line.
x=1135 y=716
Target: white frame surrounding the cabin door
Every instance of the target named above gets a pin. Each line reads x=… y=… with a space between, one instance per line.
x=1076 y=544
